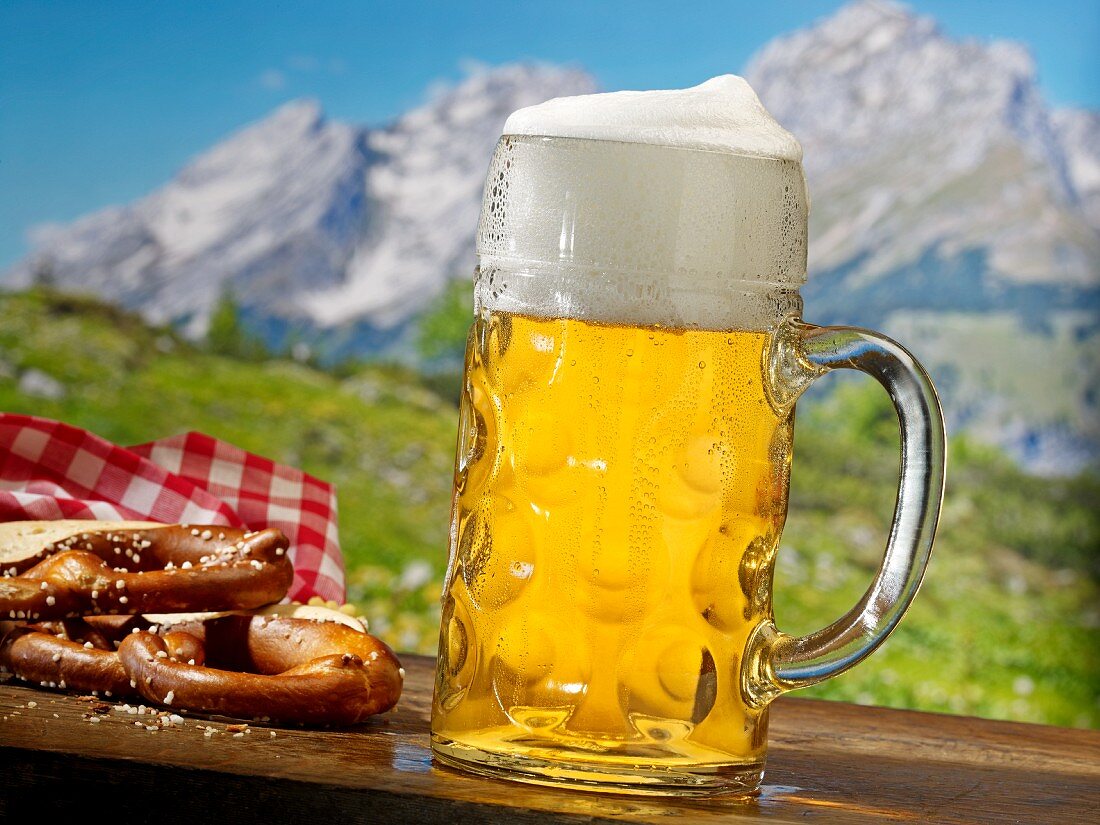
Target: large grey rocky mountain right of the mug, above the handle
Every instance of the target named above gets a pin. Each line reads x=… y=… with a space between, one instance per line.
x=955 y=211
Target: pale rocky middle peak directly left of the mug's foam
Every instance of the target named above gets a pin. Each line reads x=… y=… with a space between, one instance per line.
x=425 y=194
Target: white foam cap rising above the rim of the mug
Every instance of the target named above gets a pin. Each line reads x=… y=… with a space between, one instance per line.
x=722 y=115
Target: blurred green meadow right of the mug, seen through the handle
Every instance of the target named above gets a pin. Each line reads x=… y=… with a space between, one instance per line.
x=1006 y=624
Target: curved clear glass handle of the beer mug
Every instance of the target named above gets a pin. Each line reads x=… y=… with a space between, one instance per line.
x=776 y=663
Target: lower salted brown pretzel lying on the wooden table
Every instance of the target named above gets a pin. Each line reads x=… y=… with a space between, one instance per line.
x=260 y=667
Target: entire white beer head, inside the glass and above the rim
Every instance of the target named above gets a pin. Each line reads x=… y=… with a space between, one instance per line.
x=686 y=210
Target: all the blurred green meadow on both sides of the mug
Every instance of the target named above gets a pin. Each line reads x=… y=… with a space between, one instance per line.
x=1006 y=626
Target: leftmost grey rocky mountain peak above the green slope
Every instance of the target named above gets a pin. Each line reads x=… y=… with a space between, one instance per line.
x=273 y=208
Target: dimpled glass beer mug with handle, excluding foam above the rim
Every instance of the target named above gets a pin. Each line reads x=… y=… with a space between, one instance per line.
x=622 y=475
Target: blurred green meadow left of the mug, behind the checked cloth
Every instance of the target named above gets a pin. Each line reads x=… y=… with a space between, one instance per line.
x=380 y=437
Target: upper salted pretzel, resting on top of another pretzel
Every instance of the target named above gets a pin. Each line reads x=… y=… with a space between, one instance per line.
x=145 y=569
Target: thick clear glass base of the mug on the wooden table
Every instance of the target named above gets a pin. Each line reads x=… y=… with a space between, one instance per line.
x=731 y=779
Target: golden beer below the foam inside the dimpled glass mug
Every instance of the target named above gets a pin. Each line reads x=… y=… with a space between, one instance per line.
x=620 y=494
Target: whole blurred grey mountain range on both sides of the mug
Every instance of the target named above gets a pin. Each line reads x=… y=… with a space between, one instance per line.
x=952 y=208
